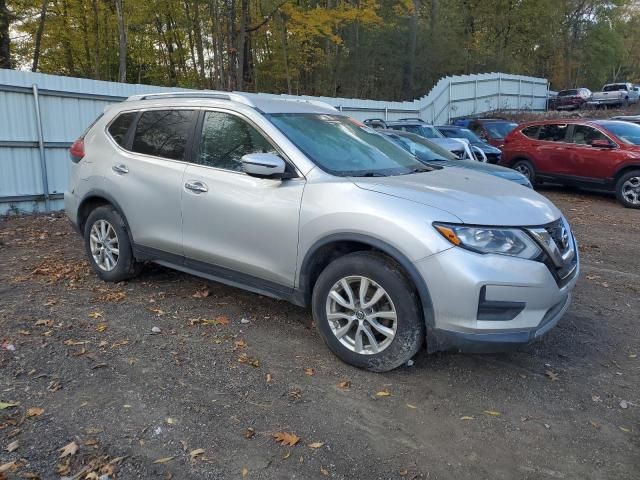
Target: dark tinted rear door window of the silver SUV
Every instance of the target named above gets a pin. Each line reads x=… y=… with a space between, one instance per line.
x=163 y=133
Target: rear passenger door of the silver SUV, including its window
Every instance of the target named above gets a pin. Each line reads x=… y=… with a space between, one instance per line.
x=145 y=175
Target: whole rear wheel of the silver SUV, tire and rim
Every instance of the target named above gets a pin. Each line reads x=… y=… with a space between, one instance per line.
x=108 y=246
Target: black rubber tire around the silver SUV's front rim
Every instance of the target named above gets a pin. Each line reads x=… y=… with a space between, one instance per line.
x=410 y=330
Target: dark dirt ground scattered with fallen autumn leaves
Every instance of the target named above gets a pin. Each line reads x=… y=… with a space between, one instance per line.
x=204 y=398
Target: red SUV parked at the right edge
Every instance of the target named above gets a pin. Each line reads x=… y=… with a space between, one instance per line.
x=594 y=154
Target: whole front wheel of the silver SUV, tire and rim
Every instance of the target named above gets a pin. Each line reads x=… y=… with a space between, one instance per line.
x=367 y=312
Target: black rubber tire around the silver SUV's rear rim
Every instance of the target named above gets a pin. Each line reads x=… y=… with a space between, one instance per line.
x=126 y=266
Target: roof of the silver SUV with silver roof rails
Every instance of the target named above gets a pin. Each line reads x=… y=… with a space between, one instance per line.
x=262 y=102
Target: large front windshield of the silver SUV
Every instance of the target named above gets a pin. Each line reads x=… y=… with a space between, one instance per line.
x=345 y=147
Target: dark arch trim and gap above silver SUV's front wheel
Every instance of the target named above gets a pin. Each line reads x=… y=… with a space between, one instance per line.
x=327 y=249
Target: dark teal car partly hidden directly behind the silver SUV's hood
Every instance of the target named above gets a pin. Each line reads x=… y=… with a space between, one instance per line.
x=430 y=153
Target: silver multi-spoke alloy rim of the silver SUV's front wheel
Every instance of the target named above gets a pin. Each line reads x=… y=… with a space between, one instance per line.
x=361 y=315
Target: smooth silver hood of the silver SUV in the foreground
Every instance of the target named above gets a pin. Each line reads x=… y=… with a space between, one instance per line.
x=475 y=198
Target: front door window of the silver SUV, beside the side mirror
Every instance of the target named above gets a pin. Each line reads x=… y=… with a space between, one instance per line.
x=226 y=138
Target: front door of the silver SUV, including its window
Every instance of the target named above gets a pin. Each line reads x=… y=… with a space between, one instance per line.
x=233 y=222
